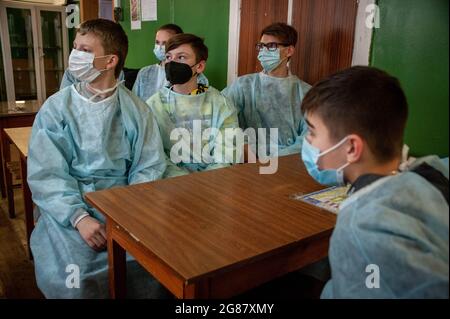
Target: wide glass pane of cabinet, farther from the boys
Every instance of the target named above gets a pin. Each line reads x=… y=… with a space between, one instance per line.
x=21 y=40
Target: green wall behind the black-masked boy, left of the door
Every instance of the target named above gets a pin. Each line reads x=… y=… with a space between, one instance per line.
x=207 y=19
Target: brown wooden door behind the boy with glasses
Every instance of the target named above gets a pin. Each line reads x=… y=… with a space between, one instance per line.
x=326 y=33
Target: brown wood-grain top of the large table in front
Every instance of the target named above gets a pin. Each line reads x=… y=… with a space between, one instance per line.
x=215 y=221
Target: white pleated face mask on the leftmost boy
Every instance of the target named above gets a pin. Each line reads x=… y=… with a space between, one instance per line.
x=81 y=65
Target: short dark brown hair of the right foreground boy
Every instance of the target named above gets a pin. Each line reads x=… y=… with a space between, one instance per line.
x=364 y=101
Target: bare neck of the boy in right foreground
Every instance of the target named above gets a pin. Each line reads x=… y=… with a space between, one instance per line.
x=361 y=169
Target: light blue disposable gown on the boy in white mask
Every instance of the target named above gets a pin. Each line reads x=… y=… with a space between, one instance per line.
x=77 y=147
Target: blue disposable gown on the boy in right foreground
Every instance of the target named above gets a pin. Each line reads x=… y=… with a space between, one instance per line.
x=400 y=225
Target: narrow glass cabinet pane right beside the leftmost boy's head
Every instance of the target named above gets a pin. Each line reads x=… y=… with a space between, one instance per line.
x=53 y=50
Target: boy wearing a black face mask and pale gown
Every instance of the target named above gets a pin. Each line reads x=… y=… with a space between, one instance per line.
x=189 y=105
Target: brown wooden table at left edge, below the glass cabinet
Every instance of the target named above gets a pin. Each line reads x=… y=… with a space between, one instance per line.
x=13 y=114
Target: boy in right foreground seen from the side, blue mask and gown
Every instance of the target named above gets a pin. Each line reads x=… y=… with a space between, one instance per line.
x=391 y=236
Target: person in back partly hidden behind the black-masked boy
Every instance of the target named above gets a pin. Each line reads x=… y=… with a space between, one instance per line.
x=153 y=77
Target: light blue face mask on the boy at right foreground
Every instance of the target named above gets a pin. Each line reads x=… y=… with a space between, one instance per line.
x=329 y=177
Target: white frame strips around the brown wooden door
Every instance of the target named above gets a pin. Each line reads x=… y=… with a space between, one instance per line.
x=361 y=45
